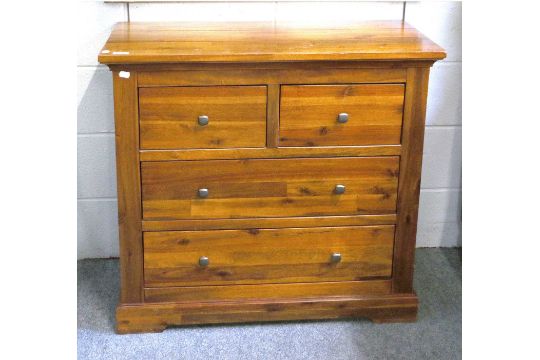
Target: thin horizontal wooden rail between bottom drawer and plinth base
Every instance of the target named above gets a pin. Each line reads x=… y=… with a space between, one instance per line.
x=267 y=291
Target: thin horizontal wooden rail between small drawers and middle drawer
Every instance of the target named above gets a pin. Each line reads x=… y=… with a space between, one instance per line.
x=269 y=153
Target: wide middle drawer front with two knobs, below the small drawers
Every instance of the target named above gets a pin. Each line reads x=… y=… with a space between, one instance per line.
x=220 y=189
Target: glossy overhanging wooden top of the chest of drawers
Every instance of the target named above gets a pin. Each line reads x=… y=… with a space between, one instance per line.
x=255 y=42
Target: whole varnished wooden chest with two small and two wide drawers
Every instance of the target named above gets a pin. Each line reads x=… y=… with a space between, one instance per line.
x=267 y=173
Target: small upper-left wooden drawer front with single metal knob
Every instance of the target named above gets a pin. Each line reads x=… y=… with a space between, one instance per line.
x=169 y=117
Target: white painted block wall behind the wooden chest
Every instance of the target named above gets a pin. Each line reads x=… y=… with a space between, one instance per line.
x=440 y=200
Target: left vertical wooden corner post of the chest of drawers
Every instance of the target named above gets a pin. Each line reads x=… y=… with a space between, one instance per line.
x=129 y=188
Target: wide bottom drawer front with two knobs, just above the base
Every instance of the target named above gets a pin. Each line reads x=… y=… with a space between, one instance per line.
x=177 y=258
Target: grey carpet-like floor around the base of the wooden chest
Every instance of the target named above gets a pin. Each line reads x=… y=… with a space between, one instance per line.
x=436 y=334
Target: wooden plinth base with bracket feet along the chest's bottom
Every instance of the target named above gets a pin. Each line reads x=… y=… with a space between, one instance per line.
x=156 y=317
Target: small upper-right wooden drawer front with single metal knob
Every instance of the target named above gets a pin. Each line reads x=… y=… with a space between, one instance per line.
x=372 y=115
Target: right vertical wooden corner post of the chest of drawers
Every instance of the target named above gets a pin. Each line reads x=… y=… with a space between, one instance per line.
x=409 y=181
